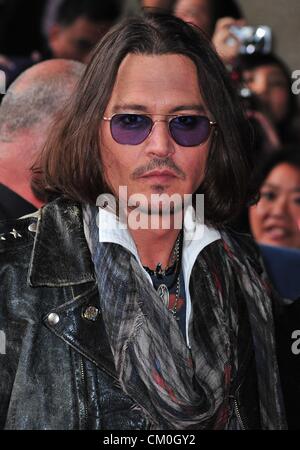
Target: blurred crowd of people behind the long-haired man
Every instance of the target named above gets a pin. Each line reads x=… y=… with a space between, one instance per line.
x=44 y=47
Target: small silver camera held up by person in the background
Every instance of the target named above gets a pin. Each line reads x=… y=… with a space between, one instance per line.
x=253 y=39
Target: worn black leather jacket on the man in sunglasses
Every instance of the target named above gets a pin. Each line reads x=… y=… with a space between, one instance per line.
x=57 y=372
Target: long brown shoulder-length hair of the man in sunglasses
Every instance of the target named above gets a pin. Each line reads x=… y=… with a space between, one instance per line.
x=71 y=163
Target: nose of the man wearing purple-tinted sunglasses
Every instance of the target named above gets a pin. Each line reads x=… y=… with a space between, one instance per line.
x=159 y=142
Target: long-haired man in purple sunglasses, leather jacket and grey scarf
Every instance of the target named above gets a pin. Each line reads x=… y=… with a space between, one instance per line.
x=111 y=321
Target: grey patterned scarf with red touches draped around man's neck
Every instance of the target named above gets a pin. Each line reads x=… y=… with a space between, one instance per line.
x=177 y=387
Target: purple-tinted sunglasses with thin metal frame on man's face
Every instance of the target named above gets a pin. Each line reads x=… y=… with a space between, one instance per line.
x=186 y=130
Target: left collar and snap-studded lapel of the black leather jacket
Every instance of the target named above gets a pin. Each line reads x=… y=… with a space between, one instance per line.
x=61 y=260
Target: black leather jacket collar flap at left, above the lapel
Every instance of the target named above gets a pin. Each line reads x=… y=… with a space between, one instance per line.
x=59 y=231
